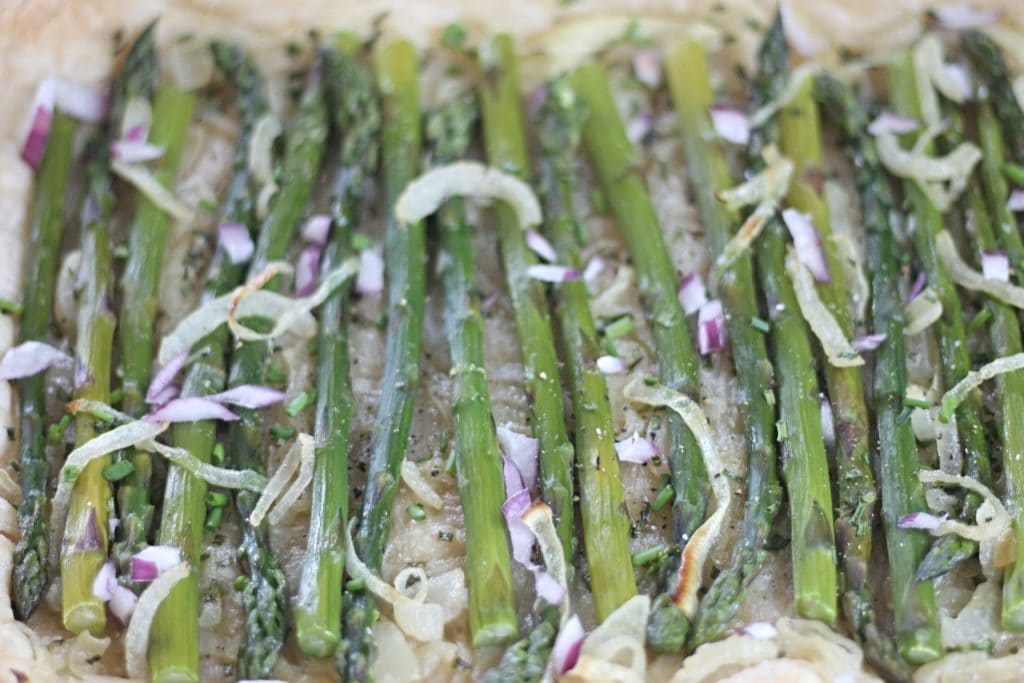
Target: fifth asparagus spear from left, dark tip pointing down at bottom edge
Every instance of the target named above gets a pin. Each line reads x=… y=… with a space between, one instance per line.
x=264 y=595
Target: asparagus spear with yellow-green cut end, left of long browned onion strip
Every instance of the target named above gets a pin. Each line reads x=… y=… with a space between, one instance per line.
x=606 y=527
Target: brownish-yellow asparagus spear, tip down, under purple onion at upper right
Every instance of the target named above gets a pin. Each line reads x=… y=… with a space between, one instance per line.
x=801 y=138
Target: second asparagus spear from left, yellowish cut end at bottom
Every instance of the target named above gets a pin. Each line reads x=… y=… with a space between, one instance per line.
x=86 y=536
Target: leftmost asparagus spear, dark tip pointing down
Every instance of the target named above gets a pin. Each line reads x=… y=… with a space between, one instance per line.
x=32 y=550
